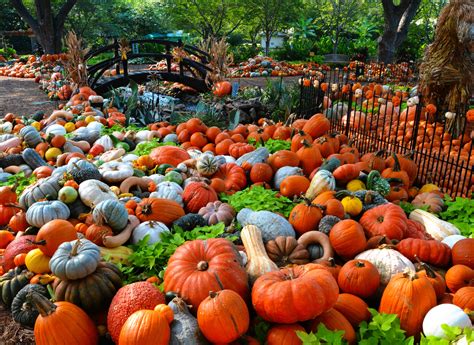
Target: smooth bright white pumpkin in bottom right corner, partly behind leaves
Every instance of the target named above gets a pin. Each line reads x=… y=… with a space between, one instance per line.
x=449 y=314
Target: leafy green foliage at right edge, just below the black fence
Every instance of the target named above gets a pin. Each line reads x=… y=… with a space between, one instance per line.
x=460 y=212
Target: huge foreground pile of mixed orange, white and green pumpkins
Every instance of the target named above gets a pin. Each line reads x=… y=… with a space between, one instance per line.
x=346 y=244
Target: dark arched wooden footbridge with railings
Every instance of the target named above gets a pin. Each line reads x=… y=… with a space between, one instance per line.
x=191 y=72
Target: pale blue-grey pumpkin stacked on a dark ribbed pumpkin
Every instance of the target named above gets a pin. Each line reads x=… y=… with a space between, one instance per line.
x=75 y=260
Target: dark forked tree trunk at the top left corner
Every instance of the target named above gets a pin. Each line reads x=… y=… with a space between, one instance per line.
x=48 y=27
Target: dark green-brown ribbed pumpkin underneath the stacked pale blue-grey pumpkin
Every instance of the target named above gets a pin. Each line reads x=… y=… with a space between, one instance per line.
x=92 y=293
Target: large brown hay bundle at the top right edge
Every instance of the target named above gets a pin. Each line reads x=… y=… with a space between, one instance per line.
x=446 y=76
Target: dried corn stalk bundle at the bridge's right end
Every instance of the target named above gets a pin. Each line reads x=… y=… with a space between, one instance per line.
x=220 y=58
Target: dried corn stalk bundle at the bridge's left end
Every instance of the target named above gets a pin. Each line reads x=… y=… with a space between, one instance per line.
x=75 y=65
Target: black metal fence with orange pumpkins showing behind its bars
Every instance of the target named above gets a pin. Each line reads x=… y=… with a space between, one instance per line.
x=382 y=117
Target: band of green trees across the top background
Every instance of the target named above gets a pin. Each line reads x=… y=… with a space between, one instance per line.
x=384 y=29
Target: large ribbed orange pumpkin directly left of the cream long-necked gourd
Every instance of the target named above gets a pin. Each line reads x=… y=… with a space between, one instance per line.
x=198 y=267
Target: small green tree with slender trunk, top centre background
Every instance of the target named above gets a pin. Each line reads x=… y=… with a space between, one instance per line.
x=273 y=16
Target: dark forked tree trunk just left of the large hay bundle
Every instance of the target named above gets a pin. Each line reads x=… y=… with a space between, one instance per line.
x=397 y=19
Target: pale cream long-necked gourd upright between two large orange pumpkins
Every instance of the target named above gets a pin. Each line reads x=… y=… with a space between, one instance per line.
x=258 y=261
